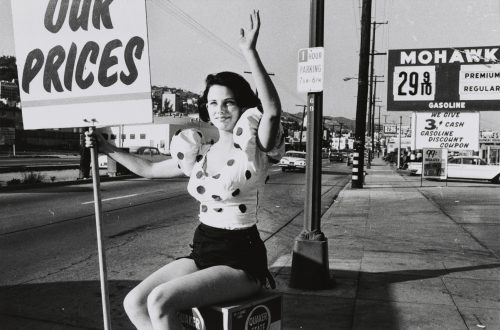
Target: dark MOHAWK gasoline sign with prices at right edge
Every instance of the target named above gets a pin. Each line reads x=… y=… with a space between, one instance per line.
x=444 y=79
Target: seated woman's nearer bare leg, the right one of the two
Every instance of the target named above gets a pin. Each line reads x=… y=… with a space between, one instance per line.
x=201 y=288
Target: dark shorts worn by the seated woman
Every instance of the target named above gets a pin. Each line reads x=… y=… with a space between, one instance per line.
x=240 y=249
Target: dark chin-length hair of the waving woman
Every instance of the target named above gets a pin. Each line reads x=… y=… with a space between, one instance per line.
x=244 y=96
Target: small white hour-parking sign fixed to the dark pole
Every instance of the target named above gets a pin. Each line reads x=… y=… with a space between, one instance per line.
x=310 y=73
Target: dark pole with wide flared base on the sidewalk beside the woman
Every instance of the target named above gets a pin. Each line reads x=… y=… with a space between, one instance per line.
x=310 y=269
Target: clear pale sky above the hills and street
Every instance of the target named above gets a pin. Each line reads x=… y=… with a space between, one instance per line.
x=189 y=39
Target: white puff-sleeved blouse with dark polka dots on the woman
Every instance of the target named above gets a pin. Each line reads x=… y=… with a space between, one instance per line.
x=227 y=199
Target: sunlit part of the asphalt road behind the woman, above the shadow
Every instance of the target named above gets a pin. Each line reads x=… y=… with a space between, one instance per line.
x=48 y=234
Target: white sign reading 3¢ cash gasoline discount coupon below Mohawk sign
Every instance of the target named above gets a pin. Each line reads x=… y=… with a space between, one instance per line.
x=447 y=130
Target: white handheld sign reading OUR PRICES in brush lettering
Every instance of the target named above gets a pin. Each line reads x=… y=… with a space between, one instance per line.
x=80 y=61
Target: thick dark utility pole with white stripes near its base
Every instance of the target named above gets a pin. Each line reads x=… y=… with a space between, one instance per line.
x=359 y=139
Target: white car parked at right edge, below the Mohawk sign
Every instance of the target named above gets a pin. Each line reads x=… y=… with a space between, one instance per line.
x=472 y=167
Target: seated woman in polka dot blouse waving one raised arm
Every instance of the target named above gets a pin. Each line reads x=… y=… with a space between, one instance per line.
x=228 y=260
